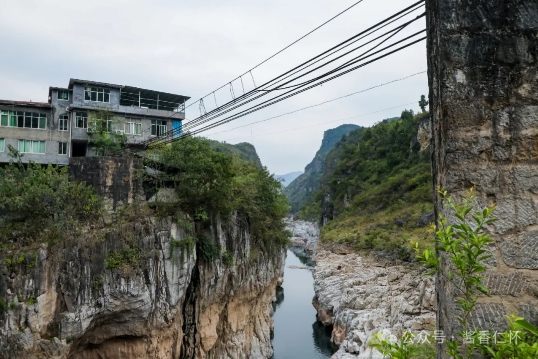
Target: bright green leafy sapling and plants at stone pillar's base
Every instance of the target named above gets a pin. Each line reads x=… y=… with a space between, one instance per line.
x=464 y=244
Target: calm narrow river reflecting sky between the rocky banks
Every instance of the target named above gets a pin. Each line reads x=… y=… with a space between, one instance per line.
x=297 y=334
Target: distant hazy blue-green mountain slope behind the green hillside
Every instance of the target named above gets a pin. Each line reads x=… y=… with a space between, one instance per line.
x=300 y=190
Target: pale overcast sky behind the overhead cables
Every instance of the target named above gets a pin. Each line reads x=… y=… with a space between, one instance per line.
x=192 y=48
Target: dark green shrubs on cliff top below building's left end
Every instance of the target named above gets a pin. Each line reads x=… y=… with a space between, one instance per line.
x=38 y=202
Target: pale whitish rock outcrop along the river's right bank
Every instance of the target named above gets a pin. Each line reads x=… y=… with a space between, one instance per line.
x=361 y=295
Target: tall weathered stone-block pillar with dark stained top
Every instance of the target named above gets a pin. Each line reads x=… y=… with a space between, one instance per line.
x=483 y=77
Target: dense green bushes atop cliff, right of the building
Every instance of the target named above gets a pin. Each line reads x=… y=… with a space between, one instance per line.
x=209 y=183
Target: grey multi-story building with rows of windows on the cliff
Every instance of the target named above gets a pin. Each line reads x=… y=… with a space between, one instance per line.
x=54 y=131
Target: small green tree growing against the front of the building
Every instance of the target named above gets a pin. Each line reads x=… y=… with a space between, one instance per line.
x=101 y=132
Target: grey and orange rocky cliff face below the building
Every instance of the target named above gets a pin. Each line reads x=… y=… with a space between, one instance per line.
x=173 y=300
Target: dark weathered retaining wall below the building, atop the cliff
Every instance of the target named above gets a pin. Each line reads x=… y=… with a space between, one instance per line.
x=117 y=180
